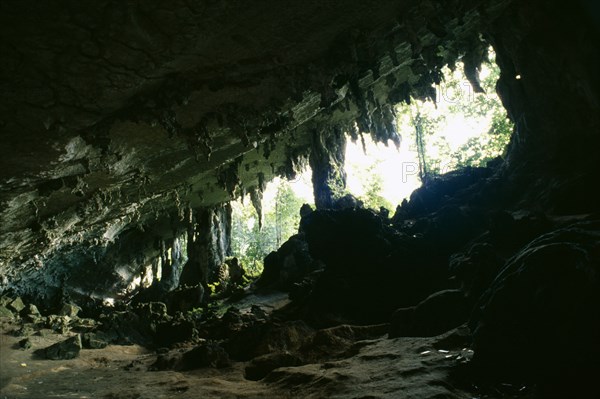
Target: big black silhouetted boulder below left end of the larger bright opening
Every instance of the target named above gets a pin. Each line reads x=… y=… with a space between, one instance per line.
x=371 y=268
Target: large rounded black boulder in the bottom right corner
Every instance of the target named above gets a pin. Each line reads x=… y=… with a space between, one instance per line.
x=540 y=319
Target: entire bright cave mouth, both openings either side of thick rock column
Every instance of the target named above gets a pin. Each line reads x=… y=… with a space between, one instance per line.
x=464 y=125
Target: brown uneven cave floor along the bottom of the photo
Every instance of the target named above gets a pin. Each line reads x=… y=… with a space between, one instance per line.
x=381 y=368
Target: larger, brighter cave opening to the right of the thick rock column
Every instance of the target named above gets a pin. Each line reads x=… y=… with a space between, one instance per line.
x=463 y=126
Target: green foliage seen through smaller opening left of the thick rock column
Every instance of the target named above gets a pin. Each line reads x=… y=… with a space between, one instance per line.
x=280 y=221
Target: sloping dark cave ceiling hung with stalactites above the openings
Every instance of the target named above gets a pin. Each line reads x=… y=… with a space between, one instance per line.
x=113 y=113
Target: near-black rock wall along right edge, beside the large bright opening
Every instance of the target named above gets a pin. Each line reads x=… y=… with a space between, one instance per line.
x=548 y=53
